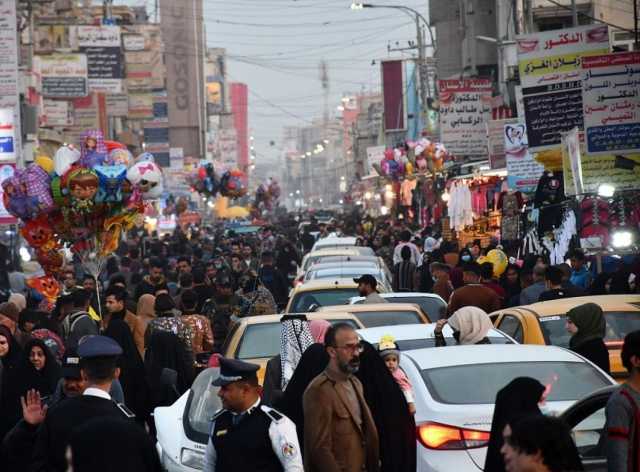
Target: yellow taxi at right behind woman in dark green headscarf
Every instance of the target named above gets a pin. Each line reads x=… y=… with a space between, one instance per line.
x=544 y=323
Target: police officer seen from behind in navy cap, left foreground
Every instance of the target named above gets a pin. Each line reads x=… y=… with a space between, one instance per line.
x=98 y=356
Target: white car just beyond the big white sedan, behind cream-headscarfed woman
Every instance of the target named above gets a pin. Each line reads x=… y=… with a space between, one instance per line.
x=411 y=336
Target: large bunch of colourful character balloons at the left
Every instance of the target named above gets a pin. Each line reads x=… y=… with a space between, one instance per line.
x=81 y=200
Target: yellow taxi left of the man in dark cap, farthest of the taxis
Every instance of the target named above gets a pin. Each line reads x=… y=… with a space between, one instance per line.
x=317 y=293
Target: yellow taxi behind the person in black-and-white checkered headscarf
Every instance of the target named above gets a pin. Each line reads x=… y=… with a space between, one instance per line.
x=256 y=339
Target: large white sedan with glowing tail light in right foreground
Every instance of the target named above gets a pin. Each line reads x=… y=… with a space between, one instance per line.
x=455 y=392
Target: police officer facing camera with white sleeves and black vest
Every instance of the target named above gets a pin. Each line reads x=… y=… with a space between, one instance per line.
x=246 y=435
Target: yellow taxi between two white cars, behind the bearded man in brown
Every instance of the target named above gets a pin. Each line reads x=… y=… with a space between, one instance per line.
x=382 y=314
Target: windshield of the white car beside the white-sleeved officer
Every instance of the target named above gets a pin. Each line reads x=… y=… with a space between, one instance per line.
x=204 y=401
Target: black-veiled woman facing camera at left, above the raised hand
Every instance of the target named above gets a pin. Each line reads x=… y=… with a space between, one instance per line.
x=37 y=369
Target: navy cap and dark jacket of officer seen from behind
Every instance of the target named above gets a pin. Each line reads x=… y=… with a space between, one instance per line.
x=54 y=433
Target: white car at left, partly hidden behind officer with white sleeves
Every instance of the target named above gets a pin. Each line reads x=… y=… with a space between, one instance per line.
x=183 y=428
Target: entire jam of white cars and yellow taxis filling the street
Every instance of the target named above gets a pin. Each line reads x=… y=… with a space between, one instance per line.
x=454 y=386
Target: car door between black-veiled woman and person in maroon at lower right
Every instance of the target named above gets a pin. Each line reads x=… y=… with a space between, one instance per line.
x=587 y=422
